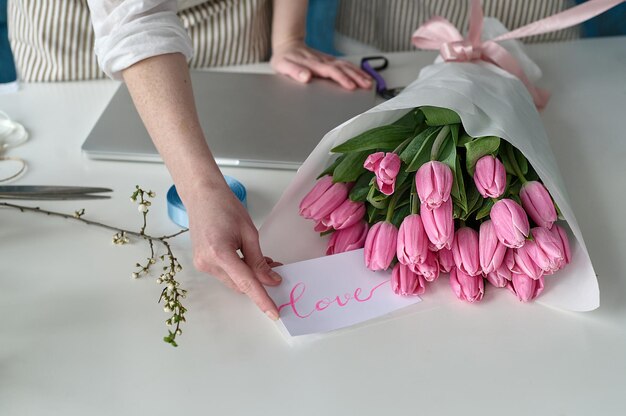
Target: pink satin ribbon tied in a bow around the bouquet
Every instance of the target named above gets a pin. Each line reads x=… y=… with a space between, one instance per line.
x=439 y=34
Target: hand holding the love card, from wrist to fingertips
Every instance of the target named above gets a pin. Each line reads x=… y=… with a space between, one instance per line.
x=220 y=226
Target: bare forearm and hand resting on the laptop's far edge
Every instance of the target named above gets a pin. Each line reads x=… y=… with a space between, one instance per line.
x=291 y=57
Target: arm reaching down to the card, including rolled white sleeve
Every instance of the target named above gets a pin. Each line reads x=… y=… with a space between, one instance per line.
x=143 y=42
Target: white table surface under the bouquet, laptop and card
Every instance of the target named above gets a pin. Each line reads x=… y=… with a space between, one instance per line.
x=79 y=337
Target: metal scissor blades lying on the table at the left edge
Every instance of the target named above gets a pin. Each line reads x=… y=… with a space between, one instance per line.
x=51 y=193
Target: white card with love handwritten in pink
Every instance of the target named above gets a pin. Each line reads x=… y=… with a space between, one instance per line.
x=333 y=292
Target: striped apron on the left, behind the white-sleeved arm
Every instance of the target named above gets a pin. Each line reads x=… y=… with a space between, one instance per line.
x=52 y=40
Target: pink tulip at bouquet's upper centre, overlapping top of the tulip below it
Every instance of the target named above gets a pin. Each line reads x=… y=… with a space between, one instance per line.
x=433 y=181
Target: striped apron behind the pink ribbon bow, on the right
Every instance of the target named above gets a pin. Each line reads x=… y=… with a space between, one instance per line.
x=388 y=24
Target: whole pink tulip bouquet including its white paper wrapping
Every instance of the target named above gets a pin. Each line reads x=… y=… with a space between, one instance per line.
x=449 y=177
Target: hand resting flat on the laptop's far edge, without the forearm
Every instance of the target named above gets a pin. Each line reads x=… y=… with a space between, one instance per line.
x=301 y=63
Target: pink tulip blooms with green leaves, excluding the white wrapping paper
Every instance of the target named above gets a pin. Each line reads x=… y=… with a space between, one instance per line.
x=424 y=198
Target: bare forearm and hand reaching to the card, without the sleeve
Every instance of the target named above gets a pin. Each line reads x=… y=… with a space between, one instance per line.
x=218 y=222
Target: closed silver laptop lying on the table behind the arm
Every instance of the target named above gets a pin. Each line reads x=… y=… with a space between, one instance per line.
x=249 y=120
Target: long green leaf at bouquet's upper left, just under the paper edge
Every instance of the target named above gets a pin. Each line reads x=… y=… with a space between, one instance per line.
x=383 y=138
